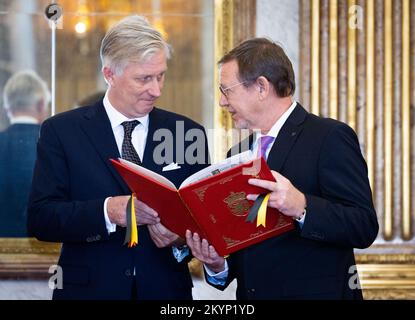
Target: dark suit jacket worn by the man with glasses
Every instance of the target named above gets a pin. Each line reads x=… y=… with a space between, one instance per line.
x=321 y=158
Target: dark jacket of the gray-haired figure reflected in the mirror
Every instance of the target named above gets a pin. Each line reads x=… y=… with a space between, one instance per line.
x=17 y=159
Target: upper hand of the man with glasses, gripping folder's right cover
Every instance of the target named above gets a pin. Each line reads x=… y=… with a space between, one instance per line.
x=284 y=196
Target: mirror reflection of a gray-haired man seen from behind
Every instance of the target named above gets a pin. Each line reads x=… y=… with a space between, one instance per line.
x=25 y=98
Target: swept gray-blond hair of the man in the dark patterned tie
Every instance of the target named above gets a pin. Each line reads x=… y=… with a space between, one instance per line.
x=132 y=39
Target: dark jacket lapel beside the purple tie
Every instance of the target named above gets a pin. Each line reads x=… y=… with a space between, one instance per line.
x=289 y=133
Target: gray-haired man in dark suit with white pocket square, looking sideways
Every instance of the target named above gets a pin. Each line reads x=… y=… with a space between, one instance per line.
x=79 y=199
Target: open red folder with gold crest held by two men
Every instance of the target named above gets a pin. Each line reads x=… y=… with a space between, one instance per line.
x=211 y=202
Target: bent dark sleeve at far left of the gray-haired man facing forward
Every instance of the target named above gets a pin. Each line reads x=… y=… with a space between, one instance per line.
x=52 y=215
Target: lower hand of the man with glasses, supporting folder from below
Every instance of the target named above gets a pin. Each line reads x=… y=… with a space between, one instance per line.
x=205 y=252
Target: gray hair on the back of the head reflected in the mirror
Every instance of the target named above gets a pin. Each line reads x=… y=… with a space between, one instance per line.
x=24 y=90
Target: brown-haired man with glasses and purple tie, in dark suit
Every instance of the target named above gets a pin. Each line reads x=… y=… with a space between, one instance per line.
x=321 y=183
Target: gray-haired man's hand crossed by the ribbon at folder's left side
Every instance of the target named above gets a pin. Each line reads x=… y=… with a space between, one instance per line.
x=117 y=206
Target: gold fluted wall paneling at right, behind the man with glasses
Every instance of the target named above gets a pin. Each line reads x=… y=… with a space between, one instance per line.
x=380 y=113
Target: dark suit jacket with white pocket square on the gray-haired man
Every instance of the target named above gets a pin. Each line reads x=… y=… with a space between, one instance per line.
x=72 y=178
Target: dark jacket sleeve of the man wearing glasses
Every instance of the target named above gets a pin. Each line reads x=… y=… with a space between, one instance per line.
x=343 y=213
